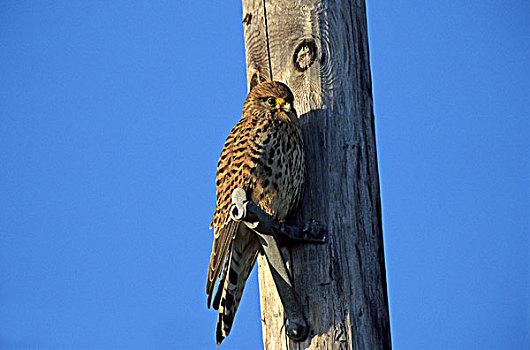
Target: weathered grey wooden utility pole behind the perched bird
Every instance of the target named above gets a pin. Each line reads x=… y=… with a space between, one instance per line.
x=320 y=49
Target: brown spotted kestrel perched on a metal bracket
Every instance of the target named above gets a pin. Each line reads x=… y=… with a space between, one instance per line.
x=263 y=154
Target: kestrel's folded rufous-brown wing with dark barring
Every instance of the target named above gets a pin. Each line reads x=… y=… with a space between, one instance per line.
x=237 y=159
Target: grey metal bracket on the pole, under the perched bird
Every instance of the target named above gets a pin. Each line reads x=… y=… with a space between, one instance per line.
x=269 y=232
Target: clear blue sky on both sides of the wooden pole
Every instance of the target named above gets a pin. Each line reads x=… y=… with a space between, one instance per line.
x=113 y=115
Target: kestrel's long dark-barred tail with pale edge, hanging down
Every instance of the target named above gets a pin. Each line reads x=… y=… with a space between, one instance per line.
x=243 y=254
